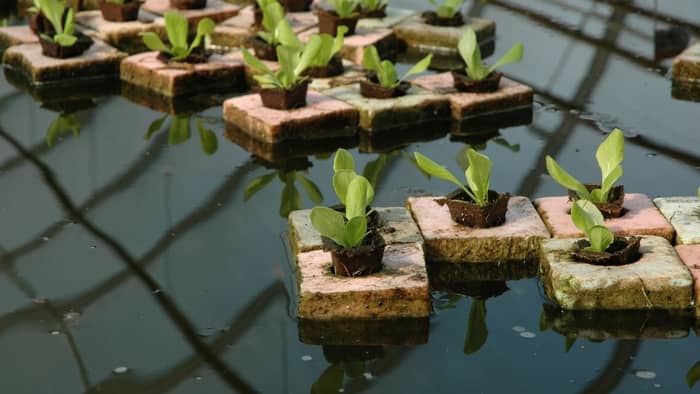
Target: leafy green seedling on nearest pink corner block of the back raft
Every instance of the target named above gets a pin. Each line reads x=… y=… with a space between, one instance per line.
x=293 y=62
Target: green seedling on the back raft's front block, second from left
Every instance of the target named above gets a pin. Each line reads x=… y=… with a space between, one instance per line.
x=176 y=26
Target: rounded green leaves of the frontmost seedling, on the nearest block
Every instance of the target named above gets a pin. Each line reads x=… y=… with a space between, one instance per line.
x=350 y=229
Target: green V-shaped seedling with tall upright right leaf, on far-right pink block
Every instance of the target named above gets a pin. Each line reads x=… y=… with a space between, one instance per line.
x=609 y=155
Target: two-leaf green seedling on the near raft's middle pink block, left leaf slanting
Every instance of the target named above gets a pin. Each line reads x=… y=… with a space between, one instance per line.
x=478 y=175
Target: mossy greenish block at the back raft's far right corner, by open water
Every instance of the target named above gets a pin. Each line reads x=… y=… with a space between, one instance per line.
x=416 y=33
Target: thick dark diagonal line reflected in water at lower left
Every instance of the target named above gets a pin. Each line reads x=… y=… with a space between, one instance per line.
x=162 y=298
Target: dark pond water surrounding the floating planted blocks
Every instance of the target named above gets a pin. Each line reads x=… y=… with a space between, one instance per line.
x=223 y=262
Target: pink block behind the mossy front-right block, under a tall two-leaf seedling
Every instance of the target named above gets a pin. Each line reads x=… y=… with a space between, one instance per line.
x=641 y=218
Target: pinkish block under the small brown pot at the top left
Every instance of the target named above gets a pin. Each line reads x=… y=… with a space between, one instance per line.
x=123 y=35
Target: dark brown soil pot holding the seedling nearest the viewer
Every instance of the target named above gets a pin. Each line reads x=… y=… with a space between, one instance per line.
x=363 y=260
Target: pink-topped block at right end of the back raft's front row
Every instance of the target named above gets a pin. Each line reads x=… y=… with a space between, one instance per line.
x=510 y=96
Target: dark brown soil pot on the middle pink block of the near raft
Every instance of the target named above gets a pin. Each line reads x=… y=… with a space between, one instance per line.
x=465 y=212
